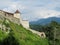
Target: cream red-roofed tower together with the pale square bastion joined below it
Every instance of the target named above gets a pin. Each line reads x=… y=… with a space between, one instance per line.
x=24 y=23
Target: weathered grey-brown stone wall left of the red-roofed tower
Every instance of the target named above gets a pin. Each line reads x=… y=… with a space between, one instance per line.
x=9 y=16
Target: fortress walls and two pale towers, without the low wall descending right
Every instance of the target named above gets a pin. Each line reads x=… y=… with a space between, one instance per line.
x=14 y=17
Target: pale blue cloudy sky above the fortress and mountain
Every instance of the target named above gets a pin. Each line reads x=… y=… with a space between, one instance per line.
x=32 y=10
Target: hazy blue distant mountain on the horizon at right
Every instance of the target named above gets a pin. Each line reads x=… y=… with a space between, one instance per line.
x=46 y=21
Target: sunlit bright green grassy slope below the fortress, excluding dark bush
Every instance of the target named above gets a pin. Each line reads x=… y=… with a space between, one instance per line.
x=25 y=37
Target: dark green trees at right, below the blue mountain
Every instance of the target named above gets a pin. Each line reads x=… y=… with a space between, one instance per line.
x=52 y=31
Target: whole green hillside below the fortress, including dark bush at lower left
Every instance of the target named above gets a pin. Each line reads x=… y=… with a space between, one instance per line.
x=19 y=36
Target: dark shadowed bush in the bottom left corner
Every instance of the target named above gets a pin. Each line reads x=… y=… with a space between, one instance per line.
x=10 y=40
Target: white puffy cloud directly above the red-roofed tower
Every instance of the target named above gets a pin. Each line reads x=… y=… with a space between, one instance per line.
x=14 y=6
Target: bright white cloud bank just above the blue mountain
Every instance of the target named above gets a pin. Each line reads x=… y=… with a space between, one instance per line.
x=45 y=13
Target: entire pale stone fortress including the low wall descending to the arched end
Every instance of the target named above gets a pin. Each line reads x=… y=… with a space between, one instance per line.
x=16 y=18
